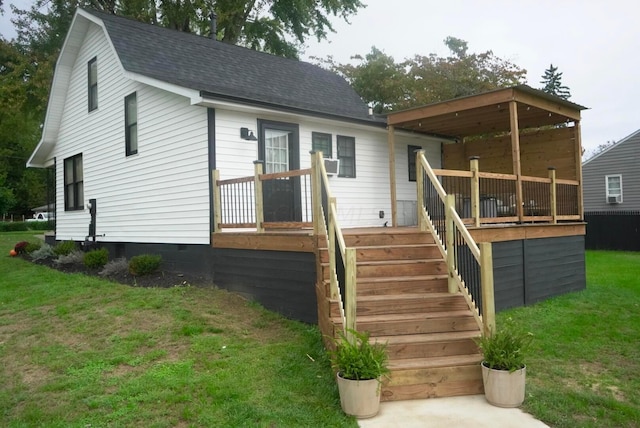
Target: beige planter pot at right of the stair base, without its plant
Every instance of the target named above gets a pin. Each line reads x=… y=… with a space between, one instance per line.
x=504 y=389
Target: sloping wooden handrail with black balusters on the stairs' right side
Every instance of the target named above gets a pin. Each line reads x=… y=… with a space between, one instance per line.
x=470 y=267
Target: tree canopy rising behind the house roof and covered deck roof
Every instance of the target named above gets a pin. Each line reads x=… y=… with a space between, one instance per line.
x=389 y=85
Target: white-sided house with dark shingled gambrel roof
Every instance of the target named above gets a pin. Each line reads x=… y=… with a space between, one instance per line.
x=139 y=115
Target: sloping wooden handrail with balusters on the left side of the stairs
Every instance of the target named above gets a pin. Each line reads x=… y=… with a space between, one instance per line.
x=342 y=259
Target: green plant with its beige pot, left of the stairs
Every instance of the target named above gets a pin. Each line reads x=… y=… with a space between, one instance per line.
x=360 y=366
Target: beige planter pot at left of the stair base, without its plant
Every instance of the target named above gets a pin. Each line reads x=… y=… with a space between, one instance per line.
x=359 y=398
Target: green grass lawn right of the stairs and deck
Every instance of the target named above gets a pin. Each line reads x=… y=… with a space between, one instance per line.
x=584 y=365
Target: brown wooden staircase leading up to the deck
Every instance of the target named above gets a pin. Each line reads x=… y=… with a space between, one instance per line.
x=403 y=300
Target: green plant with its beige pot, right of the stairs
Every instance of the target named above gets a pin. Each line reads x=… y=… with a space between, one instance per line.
x=503 y=366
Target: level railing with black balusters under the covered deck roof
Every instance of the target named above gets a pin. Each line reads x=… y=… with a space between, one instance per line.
x=485 y=197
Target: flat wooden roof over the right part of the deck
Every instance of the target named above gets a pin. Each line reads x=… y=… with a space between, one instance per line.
x=487 y=113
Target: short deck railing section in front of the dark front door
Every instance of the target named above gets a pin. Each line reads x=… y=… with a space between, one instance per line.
x=240 y=202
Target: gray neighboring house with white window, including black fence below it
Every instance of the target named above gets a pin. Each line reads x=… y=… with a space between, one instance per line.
x=612 y=196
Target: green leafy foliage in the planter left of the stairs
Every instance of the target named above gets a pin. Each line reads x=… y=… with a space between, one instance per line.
x=357 y=358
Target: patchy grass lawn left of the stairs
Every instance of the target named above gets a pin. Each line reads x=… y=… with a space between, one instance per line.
x=77 y=351
